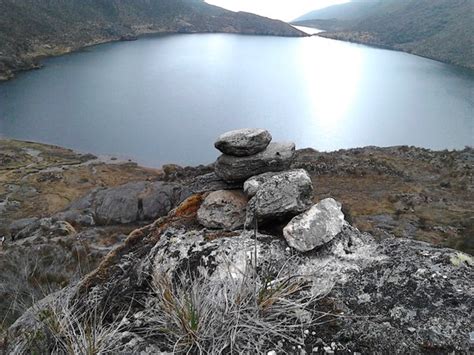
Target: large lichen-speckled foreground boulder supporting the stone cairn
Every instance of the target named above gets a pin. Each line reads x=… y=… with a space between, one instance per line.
x=396 y=296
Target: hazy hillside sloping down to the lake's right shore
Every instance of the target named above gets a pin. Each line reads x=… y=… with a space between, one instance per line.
x=437 y=29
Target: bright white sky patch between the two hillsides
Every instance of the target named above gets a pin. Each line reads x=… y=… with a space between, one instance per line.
x=285 y=10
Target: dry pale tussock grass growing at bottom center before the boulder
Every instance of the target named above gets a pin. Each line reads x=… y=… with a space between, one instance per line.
x=235 y=314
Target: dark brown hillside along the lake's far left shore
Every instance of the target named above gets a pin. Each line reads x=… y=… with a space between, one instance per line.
x=31 y=29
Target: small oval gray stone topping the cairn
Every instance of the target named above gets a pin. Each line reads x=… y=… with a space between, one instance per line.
x=243 y=142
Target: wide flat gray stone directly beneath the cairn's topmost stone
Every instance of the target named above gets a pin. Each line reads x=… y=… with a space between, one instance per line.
x=277 y=157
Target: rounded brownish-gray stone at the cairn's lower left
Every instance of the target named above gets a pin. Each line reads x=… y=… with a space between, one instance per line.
x=223 y=210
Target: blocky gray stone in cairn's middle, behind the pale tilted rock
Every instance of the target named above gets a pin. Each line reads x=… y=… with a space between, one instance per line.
x=283 y=195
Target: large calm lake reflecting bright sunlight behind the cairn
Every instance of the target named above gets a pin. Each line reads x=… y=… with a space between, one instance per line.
x=165 y=98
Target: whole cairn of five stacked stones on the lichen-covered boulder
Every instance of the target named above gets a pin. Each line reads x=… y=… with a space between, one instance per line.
x=272 y=193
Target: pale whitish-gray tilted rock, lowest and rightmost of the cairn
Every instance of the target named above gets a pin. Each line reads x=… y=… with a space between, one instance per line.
x=315 y=227
